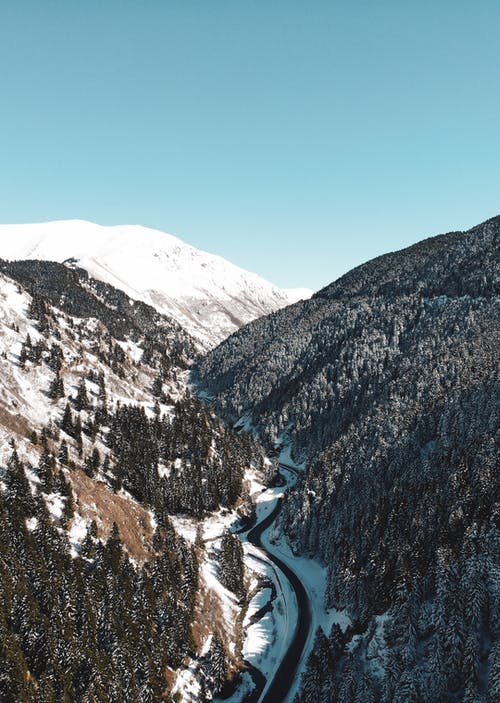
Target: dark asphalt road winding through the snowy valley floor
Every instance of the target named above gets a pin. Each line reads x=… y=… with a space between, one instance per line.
x=278 y=688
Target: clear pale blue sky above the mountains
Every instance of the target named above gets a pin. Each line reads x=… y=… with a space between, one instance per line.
x=295 y=138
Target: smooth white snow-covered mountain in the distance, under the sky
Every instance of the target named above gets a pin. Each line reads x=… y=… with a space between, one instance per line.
x=207 y=295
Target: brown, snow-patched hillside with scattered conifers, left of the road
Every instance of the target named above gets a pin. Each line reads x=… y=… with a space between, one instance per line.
x=101 y=444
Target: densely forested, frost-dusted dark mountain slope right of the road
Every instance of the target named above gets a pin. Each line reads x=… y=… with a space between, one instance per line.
x=387 y=381
